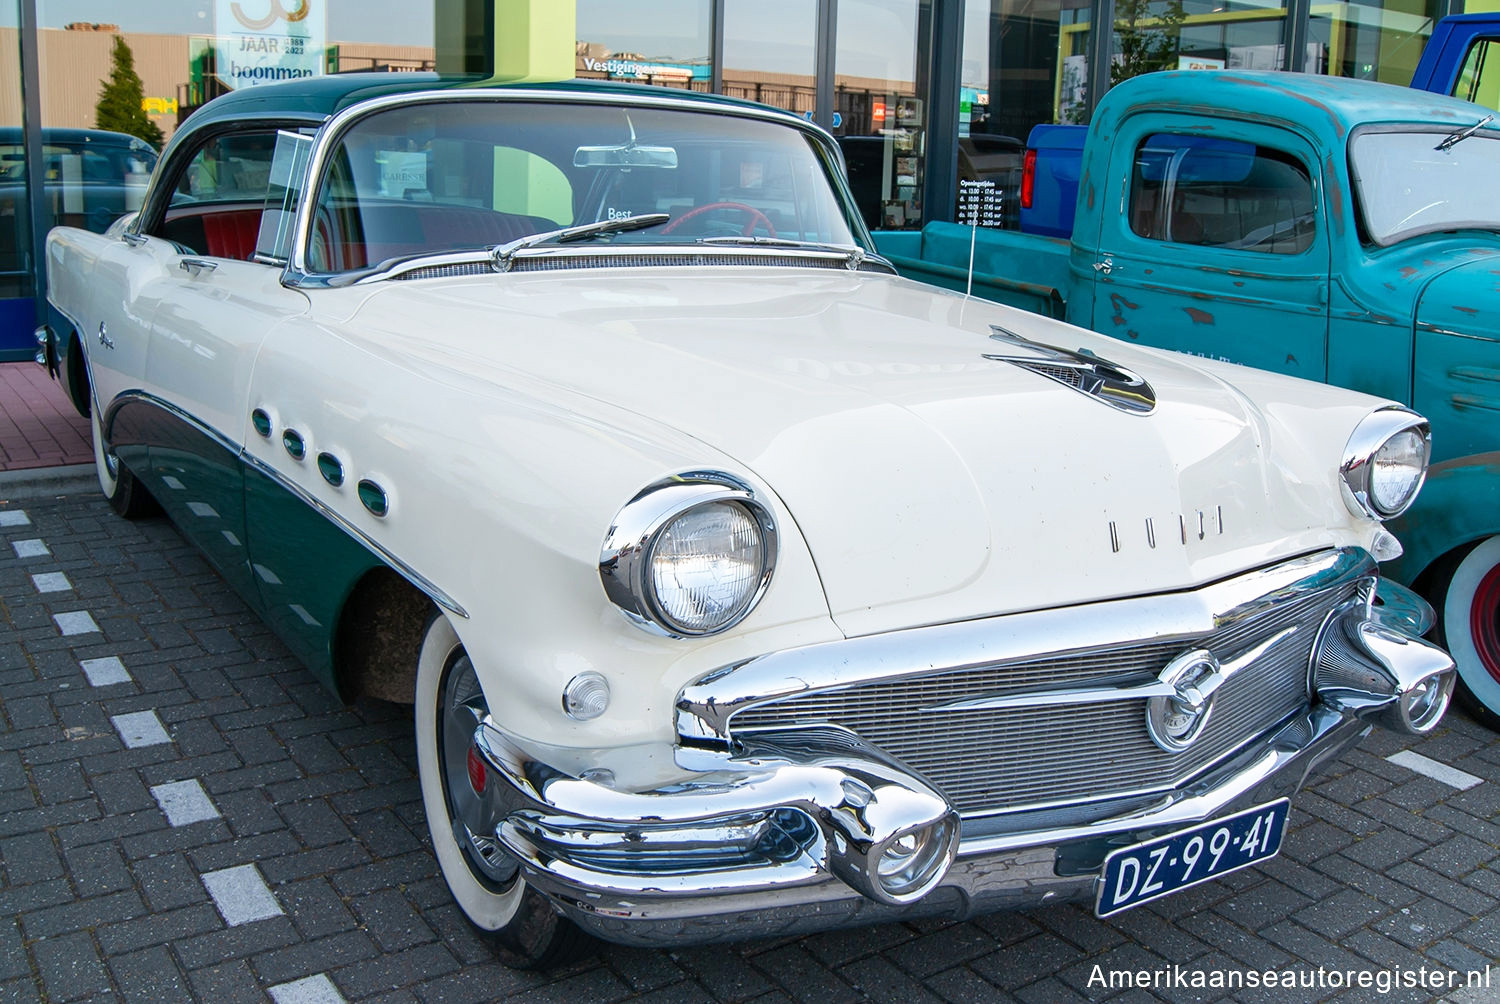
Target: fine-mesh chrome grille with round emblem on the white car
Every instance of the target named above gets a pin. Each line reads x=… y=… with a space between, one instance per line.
x=1013 y=759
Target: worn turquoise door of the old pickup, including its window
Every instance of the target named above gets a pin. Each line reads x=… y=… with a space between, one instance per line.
x=1219 y=247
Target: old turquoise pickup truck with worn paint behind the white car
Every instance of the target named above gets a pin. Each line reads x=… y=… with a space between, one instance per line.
x=1337 y=230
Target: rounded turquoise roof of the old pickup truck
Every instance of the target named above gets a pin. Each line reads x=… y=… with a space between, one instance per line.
x=1328 y=107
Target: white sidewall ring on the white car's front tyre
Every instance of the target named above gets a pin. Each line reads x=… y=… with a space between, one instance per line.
x=485 y=909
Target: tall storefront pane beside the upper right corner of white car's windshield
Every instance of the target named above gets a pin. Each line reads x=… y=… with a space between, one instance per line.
x=881 y=107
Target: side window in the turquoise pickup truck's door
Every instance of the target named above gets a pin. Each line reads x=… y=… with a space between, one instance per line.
x=1195 y=190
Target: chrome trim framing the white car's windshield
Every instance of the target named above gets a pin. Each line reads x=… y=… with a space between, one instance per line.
x=298 y=274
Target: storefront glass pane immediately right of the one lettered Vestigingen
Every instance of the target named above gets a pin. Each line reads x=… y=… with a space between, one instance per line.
x=769 y=53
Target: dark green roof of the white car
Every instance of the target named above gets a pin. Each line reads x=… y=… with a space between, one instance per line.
x=317 y=98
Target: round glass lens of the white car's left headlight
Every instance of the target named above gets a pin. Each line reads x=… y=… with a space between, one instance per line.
x=706 y=567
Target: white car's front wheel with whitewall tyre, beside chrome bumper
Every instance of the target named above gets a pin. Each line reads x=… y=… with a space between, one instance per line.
x=520 y=924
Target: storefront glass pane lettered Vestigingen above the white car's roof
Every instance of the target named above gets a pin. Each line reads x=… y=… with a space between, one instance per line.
x=662 y=43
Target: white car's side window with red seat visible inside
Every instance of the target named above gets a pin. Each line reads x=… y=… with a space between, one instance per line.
x=220 y=196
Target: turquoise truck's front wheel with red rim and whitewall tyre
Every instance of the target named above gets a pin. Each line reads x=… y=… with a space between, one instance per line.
x=1471 y=630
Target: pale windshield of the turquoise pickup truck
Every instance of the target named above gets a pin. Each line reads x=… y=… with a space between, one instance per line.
x=1415 y=182
